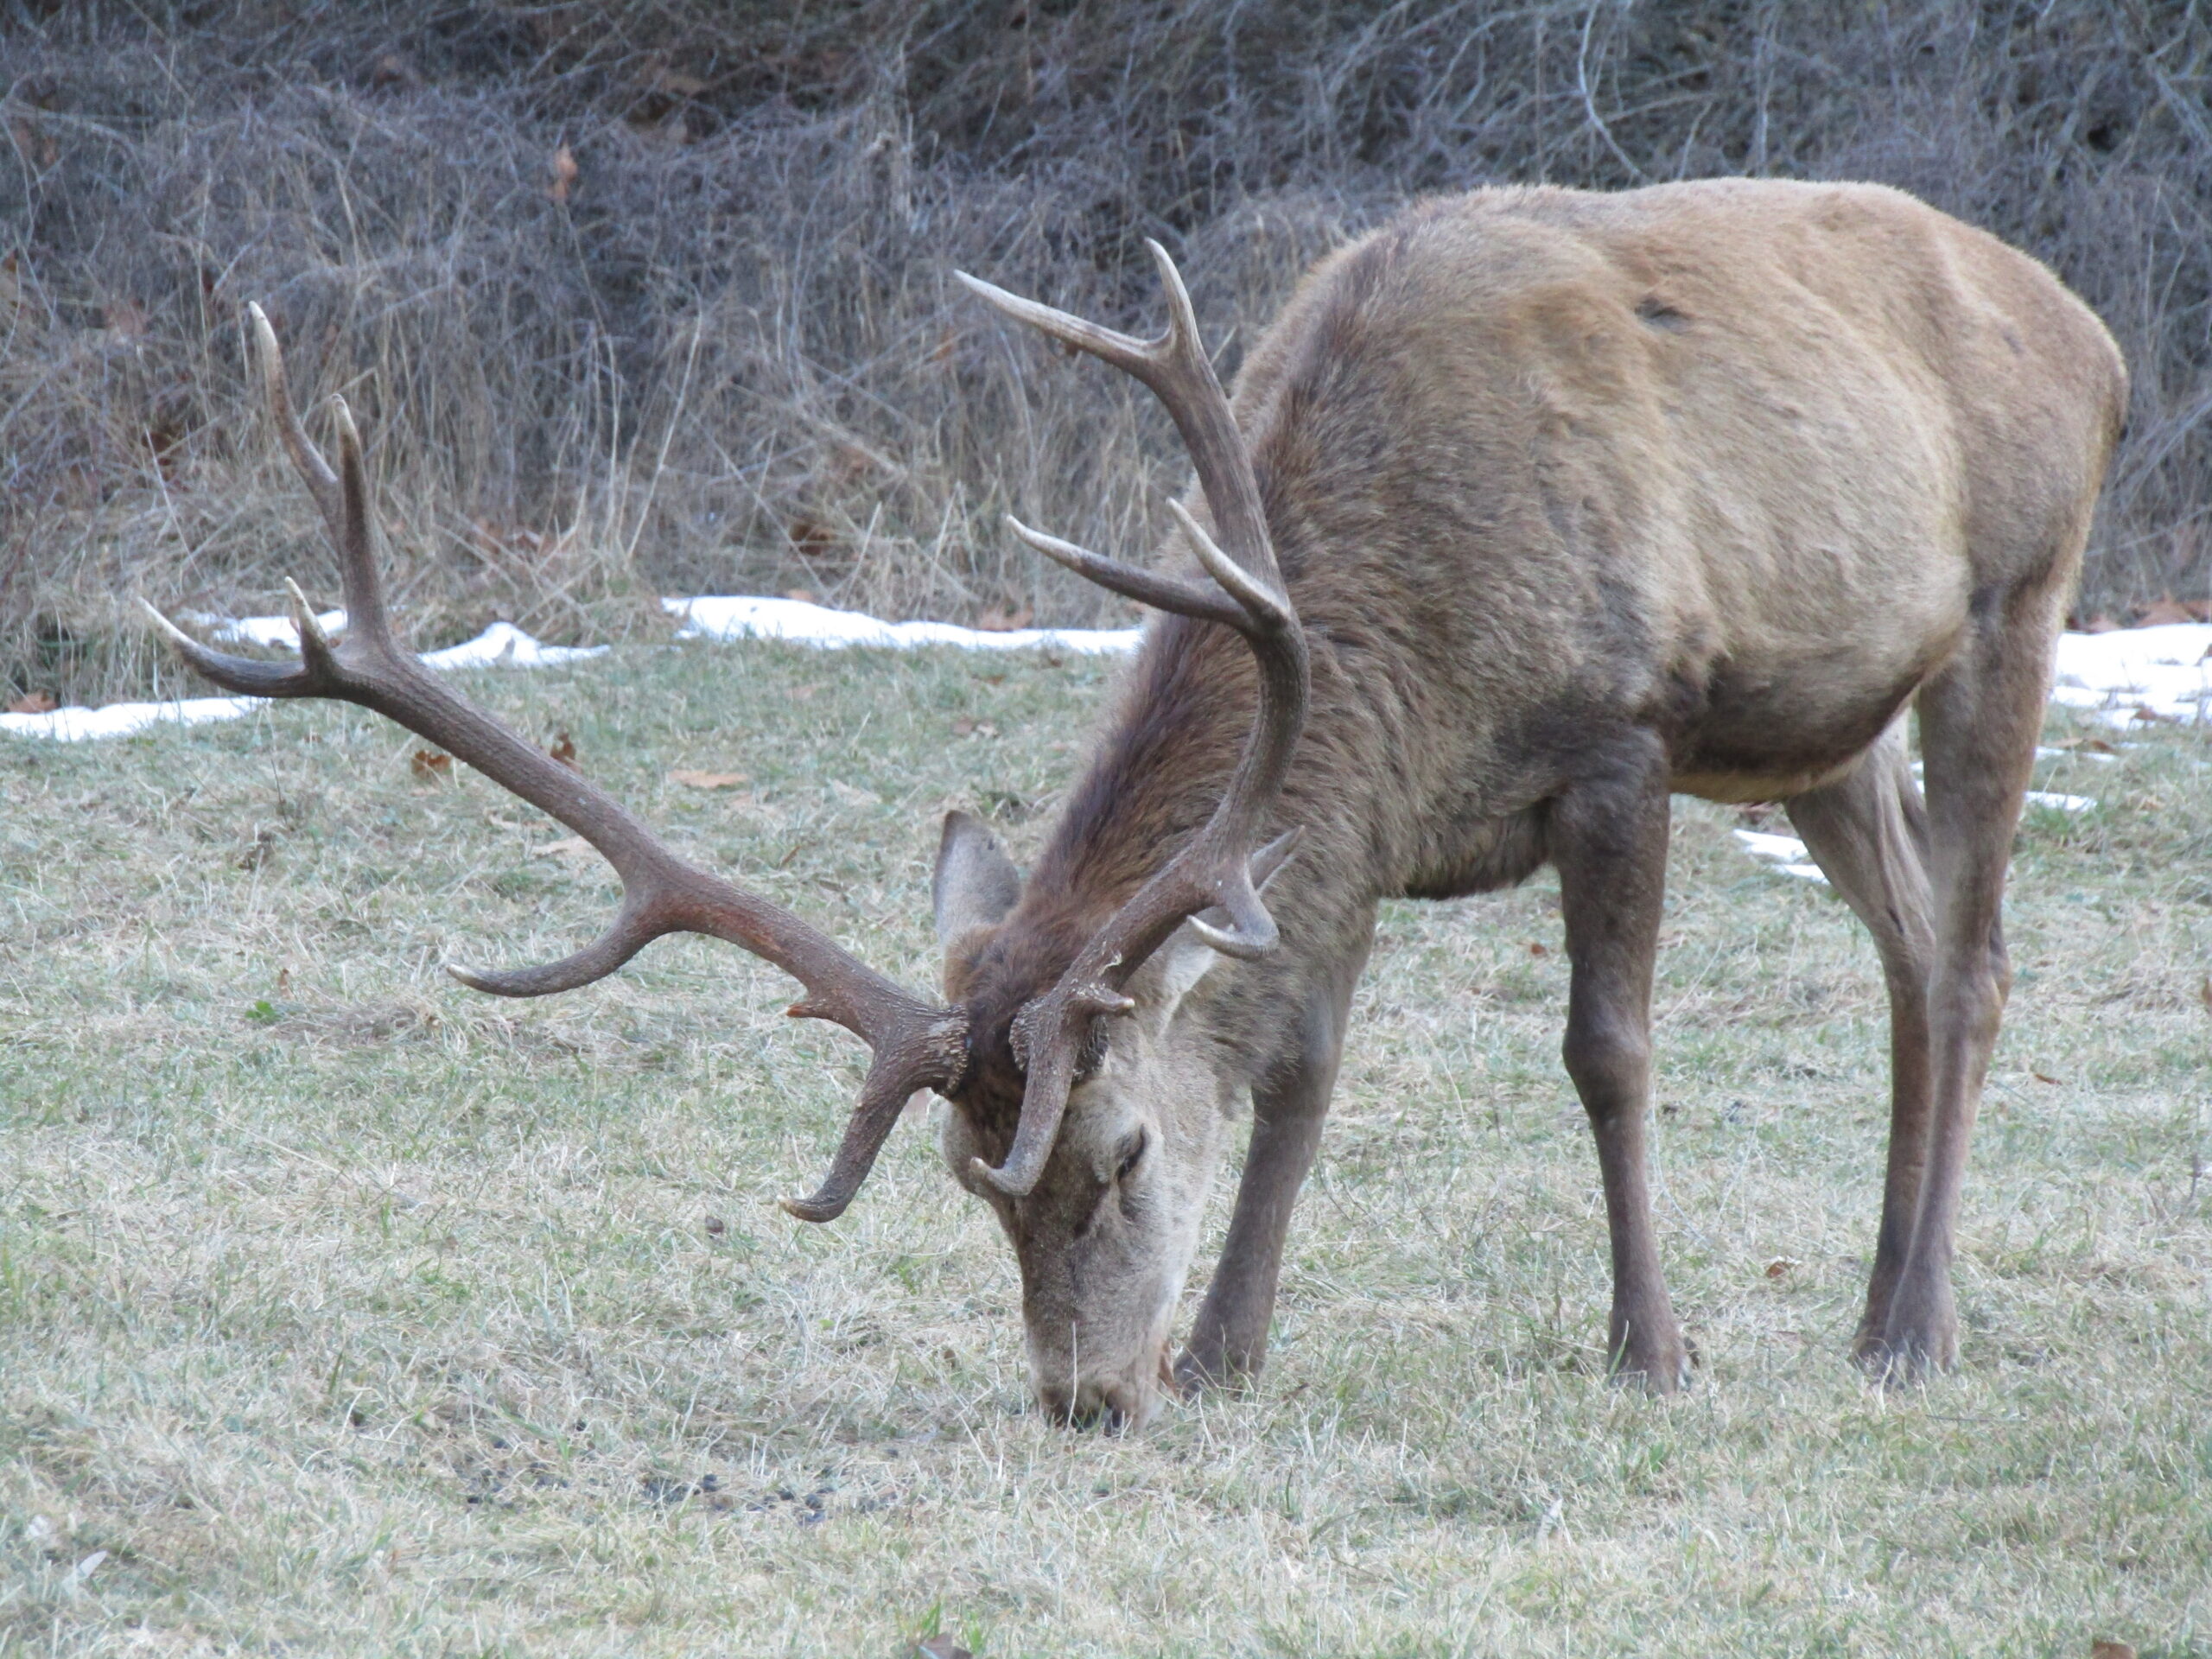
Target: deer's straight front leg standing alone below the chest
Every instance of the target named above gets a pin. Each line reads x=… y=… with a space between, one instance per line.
x=1607 y=835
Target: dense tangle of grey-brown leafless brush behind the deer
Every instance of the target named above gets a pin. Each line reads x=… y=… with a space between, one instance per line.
x=658 y=298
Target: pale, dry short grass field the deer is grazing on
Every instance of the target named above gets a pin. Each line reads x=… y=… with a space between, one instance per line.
x=344 y=1311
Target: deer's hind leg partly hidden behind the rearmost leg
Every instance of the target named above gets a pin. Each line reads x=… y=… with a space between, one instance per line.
x=1868 y=833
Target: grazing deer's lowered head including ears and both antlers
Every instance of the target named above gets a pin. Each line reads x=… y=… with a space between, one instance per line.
x=1112 y=1100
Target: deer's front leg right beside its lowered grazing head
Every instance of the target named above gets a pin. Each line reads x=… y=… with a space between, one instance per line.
x=1229 y=1342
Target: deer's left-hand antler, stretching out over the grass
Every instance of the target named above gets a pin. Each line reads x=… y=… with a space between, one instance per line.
x=917 y=1043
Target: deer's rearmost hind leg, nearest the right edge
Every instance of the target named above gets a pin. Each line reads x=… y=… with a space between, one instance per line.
x=1979 y=727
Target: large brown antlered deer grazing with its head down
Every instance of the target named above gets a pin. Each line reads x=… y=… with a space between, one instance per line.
x=1532 y=510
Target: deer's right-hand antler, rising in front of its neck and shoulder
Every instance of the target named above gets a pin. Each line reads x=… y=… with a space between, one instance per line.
x=1218 y=868
